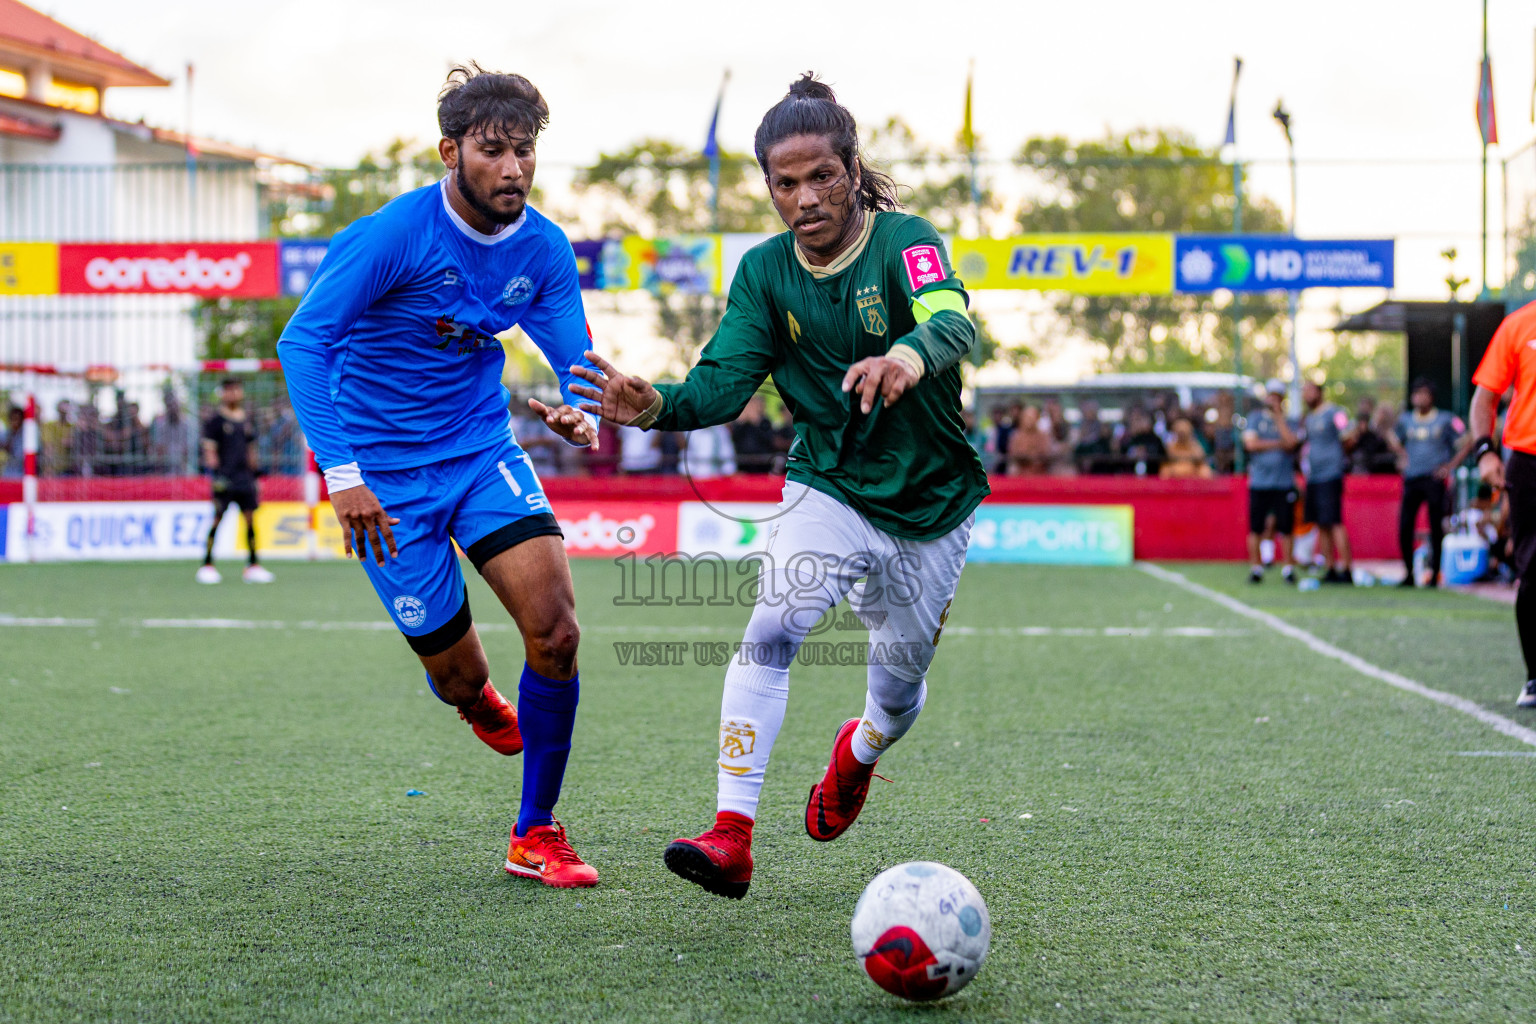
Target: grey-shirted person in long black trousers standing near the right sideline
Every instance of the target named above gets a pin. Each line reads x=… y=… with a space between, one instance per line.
x=1431 y=443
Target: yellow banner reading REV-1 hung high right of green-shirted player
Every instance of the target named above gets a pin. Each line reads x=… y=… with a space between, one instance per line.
x=1085 y=265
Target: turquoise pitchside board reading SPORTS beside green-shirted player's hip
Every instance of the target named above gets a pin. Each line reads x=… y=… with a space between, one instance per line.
x=1053 y=535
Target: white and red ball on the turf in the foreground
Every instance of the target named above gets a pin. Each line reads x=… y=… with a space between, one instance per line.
x=921 y=931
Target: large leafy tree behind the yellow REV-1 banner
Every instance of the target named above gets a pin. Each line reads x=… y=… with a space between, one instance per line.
x=1154 y=180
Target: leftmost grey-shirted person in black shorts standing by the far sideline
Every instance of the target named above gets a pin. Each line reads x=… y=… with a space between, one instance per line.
x=1271 y=443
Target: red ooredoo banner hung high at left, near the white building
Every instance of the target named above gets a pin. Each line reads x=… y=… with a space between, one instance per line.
x=208 y=269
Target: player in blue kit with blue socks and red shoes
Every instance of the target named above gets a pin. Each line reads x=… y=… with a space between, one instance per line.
x=396 y=372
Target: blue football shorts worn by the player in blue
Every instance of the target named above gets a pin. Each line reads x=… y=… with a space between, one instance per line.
x=489 y=501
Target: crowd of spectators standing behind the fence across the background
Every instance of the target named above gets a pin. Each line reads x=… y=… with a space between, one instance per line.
x=147 y=423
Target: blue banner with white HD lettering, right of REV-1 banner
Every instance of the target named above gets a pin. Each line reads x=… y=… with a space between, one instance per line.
x=1263 y=263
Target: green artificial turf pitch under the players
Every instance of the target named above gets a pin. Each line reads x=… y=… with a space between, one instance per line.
x=213 y=825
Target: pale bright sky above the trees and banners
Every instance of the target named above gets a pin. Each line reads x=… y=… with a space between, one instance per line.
x=1382 y=94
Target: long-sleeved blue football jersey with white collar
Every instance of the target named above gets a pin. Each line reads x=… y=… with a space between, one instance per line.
x=392 y=358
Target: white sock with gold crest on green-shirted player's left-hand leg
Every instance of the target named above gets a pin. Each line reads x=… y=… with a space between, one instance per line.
x=752 y=715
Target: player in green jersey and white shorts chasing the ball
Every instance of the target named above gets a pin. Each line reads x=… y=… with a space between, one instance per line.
x=861 y=322
